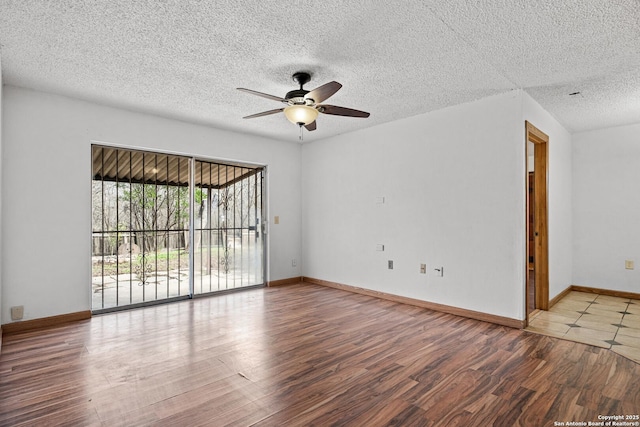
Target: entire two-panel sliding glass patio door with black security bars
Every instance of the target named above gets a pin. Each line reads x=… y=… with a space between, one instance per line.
x=142 y=205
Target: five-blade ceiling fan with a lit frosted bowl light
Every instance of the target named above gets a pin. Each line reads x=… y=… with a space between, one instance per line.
x=303 y=106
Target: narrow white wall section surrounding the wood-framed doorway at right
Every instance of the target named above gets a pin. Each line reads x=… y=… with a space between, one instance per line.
x=560 y=212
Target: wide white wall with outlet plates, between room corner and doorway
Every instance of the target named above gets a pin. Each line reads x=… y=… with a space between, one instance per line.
x=453 y=183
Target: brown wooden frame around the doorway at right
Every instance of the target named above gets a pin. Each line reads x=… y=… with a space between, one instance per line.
x=540 y=142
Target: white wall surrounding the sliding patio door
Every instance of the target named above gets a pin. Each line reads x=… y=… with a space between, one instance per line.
x=46 y=175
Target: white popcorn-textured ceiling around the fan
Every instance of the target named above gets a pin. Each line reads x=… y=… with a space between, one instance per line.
x=184 y=58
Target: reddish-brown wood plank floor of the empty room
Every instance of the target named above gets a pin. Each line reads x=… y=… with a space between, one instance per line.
x=304 y=355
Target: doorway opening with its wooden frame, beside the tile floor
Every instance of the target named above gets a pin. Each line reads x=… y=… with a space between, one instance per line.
x=537 y=257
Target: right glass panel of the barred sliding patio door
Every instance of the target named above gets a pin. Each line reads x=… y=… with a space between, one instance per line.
x=228 y=245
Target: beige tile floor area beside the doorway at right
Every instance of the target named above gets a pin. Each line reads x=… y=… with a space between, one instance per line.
x=600 y=320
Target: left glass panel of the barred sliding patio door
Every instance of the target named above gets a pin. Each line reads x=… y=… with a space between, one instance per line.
x=140 y=207
